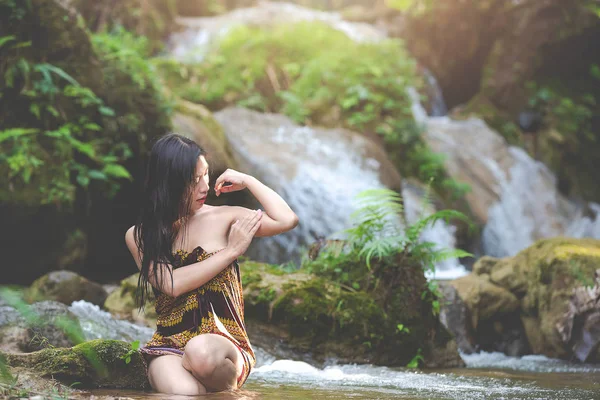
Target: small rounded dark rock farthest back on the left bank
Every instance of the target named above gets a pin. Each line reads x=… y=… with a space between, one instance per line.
x=65 y=287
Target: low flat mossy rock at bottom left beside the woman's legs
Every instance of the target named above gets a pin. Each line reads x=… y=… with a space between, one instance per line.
x=95 y=364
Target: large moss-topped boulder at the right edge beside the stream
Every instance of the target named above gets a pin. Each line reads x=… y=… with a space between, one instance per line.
x=545 y=299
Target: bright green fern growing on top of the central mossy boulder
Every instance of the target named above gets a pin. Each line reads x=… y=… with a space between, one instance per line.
x=381 y=234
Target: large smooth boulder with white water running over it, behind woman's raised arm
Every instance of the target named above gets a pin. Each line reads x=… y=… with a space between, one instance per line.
x=302 y=164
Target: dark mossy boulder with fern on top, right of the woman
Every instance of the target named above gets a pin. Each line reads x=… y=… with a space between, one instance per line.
x=363 y=299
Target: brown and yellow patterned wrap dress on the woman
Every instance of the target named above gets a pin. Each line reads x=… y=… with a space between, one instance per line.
x=215 y=307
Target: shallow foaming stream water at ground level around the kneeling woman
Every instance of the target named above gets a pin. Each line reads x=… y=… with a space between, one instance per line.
x=487 y=376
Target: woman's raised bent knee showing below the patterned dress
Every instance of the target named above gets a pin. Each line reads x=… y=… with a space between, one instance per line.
x=214 y=361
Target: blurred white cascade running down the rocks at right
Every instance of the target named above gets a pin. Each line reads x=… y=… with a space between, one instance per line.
x=516 y=195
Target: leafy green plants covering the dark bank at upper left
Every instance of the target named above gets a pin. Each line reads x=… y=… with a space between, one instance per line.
x=58 y=136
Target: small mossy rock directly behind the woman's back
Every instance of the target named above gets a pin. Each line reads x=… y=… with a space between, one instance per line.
x=121 y=302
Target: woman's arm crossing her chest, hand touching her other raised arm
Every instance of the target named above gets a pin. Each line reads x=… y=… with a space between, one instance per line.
x=194 y=275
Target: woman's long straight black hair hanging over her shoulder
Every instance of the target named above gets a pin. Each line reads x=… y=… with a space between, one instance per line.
x=166 y=204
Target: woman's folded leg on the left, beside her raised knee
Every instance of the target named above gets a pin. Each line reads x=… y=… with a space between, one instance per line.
x=167 y=375
